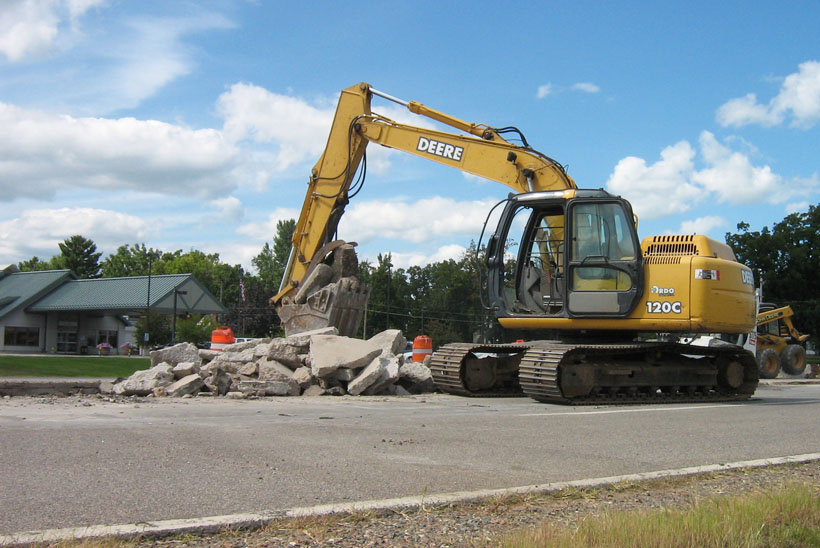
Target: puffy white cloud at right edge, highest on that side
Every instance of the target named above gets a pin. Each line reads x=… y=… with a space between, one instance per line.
x=799 y=99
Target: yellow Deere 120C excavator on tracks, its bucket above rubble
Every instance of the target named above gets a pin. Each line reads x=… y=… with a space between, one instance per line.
x=578 y=272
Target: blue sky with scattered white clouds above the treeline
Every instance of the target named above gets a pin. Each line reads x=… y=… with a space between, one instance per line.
x=195 y=124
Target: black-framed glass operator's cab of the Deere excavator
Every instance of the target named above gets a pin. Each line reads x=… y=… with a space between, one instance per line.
x=565 y=254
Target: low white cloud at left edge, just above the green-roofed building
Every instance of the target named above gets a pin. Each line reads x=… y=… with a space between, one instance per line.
x=36 y=232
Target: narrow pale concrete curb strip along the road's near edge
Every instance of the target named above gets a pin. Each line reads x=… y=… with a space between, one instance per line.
x=253 y=521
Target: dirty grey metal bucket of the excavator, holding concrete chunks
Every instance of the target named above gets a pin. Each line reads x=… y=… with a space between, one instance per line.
x=341 y=304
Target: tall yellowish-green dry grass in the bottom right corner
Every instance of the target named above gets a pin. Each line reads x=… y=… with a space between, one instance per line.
x=787 y=517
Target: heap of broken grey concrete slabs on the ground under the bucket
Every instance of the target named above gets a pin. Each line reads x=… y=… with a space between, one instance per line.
x=313 y=363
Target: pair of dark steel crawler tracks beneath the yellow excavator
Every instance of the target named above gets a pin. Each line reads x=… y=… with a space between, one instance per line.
x=594 y=374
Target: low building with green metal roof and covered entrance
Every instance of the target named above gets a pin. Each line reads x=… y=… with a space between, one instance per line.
x=52 y=311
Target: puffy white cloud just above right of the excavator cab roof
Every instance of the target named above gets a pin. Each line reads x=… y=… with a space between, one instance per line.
x=660 y=189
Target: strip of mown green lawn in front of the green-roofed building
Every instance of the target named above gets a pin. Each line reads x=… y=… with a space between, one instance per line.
x=63 y=366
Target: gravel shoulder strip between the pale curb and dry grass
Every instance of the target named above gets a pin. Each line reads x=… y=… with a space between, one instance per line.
x=483 y=524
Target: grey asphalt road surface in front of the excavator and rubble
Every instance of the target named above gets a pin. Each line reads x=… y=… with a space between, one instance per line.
x=82 y=461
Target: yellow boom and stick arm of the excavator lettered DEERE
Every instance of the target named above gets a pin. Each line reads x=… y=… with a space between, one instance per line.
x=484 y=152
